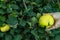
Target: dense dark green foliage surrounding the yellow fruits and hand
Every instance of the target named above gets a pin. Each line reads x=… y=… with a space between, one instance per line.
x=23 y=17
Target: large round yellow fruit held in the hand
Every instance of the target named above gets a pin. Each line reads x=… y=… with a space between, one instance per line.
x=46 y=20
